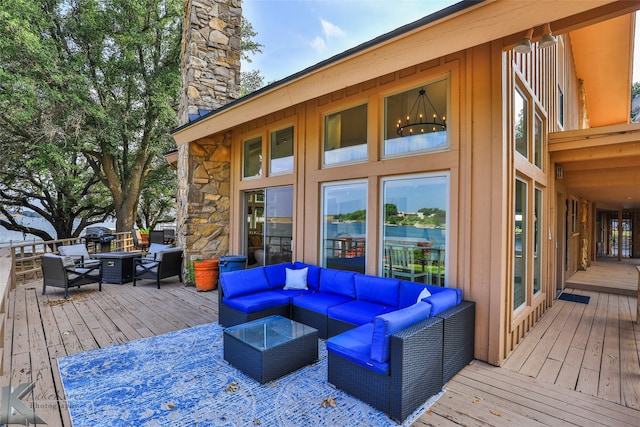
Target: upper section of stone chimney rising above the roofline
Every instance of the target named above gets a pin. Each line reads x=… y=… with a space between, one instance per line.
x=210 y=60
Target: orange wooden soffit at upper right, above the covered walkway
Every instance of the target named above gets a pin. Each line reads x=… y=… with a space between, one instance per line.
x=603 y=55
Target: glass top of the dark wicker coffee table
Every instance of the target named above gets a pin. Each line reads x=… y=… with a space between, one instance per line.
x=269 y=332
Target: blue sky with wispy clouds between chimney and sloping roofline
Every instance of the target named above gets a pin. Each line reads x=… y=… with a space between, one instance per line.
x=299 y=33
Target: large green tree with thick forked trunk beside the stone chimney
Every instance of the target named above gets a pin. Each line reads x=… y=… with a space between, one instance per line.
x=103 y=77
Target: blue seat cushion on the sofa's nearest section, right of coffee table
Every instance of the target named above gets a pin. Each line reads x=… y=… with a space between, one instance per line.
x=355 y=346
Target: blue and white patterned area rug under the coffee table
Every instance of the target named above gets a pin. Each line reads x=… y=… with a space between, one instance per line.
x=181 y=379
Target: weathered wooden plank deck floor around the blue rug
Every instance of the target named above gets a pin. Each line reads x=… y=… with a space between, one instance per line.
x=578 y=366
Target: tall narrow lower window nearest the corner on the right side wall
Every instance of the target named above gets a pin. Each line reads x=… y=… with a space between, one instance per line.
x=520 y=247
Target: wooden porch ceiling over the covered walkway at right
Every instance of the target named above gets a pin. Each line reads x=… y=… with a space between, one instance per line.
x=600 y=164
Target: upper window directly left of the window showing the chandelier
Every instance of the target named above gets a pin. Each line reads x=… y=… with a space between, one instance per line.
x=345 y=136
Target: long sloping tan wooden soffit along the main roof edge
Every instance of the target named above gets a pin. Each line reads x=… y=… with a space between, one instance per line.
x=488 y=21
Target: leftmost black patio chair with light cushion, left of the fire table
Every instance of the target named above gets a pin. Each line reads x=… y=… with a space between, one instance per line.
x=55 y=273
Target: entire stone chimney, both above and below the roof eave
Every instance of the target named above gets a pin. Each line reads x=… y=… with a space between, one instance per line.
x=210 y=69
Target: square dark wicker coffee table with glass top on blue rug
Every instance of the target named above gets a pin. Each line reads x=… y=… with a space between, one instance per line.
x=268 y=348
